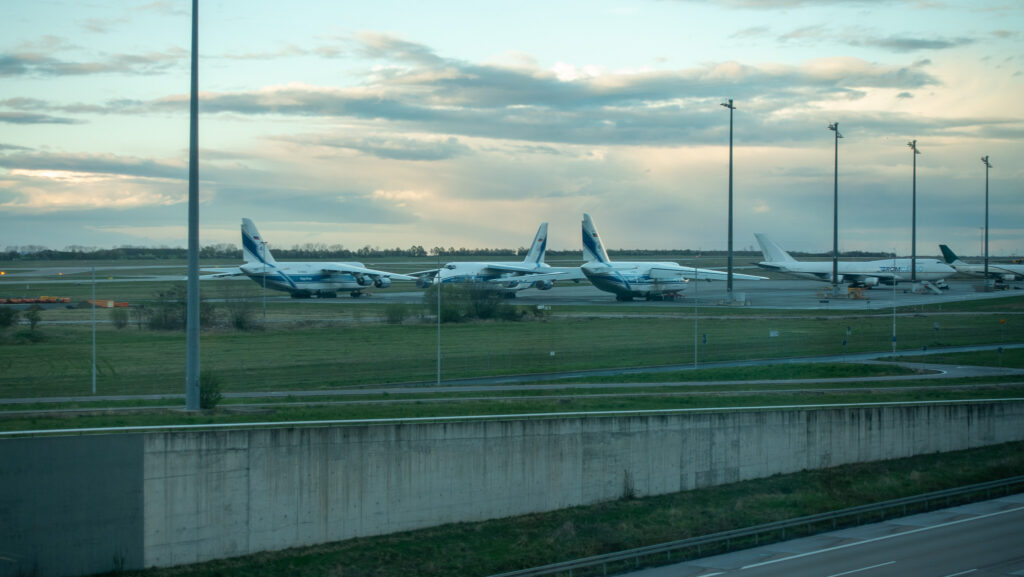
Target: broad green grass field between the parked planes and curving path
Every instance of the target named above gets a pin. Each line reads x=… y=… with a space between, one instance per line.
x=322 y=356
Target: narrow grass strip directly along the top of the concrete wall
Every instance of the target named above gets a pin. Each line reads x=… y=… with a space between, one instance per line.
x=428 y=405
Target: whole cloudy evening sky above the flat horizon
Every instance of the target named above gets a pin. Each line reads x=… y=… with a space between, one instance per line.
x=466 y=123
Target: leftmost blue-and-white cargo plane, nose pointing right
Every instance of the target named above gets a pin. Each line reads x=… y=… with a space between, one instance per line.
x=303 y=280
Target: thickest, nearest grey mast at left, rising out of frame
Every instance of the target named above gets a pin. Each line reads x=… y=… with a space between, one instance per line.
x=192 y=316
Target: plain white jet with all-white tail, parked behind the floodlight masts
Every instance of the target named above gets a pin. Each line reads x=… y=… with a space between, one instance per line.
x=864 y=274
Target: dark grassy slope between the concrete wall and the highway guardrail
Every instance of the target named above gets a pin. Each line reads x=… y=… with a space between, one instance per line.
x=494 y=547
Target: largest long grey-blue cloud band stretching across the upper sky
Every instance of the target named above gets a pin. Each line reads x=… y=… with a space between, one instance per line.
x=419 y=92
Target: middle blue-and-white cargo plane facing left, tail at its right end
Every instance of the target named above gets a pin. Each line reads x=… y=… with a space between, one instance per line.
x=506 y=277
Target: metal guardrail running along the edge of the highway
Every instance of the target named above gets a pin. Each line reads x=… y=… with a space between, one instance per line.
x=662 y=554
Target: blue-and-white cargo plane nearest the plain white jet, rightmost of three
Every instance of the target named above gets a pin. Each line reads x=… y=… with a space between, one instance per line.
x=650 y=280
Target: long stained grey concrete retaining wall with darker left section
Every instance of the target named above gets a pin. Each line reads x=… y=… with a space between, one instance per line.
x=205 y=496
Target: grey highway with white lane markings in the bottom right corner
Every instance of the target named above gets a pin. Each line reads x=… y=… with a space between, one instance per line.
x=979 y=540
